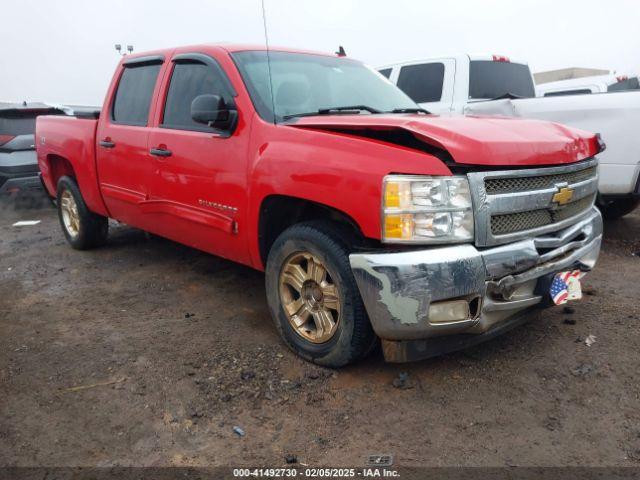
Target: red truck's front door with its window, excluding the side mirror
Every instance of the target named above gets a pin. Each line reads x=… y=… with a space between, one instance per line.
x=199 y=190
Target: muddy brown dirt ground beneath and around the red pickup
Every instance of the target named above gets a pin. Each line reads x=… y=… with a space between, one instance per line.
x=146 y=352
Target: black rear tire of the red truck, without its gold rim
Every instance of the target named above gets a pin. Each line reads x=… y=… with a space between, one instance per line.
x=93 y=228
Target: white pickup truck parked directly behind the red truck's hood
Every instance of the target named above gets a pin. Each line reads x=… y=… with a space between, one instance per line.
x=496 y=85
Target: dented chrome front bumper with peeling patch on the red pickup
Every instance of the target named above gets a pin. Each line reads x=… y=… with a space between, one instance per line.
x=404 y=292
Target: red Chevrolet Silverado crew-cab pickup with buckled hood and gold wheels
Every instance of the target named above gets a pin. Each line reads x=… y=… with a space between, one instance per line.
x=371 y=218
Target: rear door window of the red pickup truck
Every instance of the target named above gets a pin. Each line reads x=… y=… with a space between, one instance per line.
x=133 y=97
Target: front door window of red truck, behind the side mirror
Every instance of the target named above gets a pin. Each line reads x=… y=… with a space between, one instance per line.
x=189 y=80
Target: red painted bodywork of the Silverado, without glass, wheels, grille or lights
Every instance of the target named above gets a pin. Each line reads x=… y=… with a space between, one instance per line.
x=208 y=193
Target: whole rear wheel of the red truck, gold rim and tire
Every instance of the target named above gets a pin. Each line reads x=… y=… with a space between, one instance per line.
x=82 y=228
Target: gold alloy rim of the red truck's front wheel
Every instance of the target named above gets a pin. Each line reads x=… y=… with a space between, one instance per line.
x=310 y=299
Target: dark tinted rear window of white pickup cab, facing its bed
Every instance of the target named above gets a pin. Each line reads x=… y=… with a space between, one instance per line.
x=489 y=80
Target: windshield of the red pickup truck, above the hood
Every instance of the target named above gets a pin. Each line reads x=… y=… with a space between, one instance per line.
x=306 y=83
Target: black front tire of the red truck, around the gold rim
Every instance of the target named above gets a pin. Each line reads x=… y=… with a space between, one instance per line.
x=353 y=338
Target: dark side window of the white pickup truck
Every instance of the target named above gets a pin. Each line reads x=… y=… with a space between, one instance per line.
x=423 y=83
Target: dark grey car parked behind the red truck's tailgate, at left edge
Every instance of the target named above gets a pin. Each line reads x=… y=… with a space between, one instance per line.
x=18 y=162
